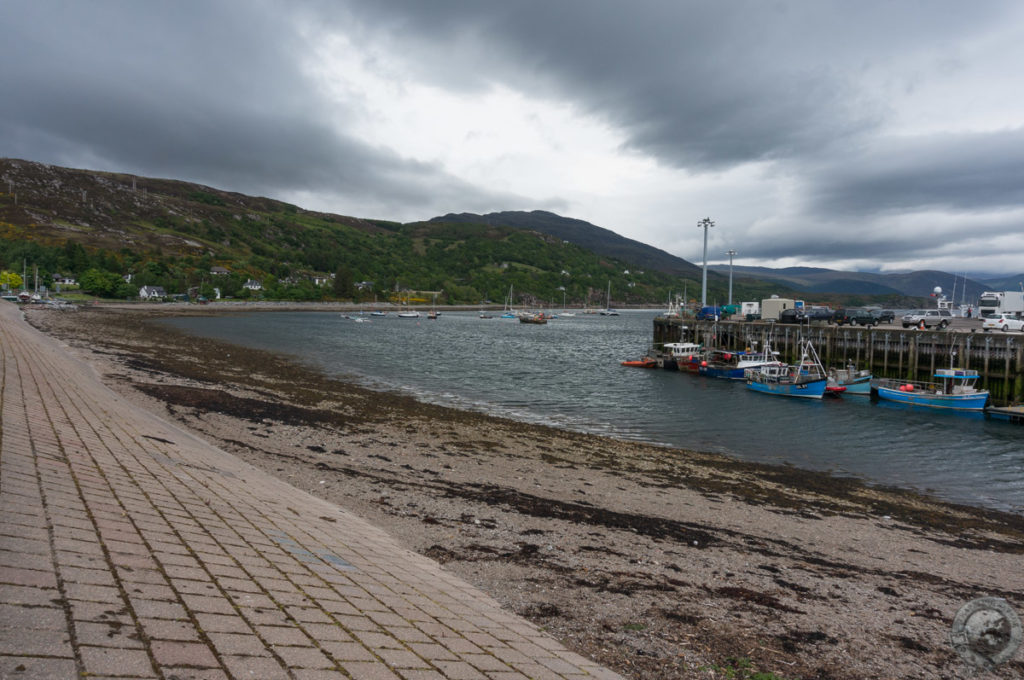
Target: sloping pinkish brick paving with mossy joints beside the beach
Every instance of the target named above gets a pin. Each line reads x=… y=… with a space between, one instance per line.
x=132 y=549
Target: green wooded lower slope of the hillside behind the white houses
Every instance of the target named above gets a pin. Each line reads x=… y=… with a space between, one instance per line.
x=466 y=263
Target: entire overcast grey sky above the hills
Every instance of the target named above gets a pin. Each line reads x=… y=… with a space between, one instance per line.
x=859 y=136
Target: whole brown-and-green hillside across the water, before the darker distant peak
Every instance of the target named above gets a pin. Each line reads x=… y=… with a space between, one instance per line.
x=103 y=228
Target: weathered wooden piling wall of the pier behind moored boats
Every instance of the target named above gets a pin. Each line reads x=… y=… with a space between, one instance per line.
x=999 y=358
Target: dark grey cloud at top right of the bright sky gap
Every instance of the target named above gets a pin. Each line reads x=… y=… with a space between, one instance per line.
x=696 y=84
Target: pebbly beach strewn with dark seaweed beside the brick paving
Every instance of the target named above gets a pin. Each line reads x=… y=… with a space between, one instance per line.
x=656 y=563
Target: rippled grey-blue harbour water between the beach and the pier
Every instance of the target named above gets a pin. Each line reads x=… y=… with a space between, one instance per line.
x=568 y=374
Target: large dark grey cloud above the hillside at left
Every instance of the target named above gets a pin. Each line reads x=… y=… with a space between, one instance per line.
x=212 y=93
